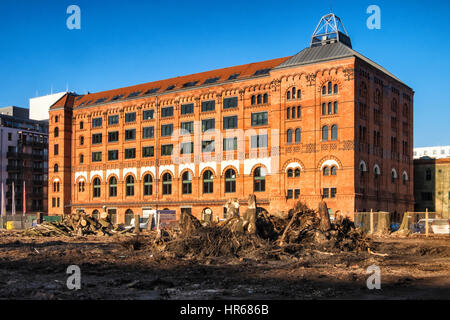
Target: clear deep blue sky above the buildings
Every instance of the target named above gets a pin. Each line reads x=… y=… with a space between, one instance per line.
x=124 y=43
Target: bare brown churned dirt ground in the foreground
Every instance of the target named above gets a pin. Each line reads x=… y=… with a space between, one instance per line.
x=111 y=268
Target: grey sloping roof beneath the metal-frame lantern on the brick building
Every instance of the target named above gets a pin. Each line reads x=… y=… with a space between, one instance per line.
x=329 y=52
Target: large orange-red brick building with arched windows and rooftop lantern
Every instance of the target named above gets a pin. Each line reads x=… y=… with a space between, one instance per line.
x=326 y=121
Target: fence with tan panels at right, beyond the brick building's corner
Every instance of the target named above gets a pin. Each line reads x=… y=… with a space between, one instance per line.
x=384 y=222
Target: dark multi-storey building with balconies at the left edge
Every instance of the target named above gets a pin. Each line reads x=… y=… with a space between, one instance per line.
x=23 y=158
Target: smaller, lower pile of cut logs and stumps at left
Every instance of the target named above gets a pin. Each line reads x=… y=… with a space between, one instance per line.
x=78 y=224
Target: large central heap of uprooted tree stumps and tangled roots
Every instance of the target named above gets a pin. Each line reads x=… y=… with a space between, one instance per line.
x=258 y=234
